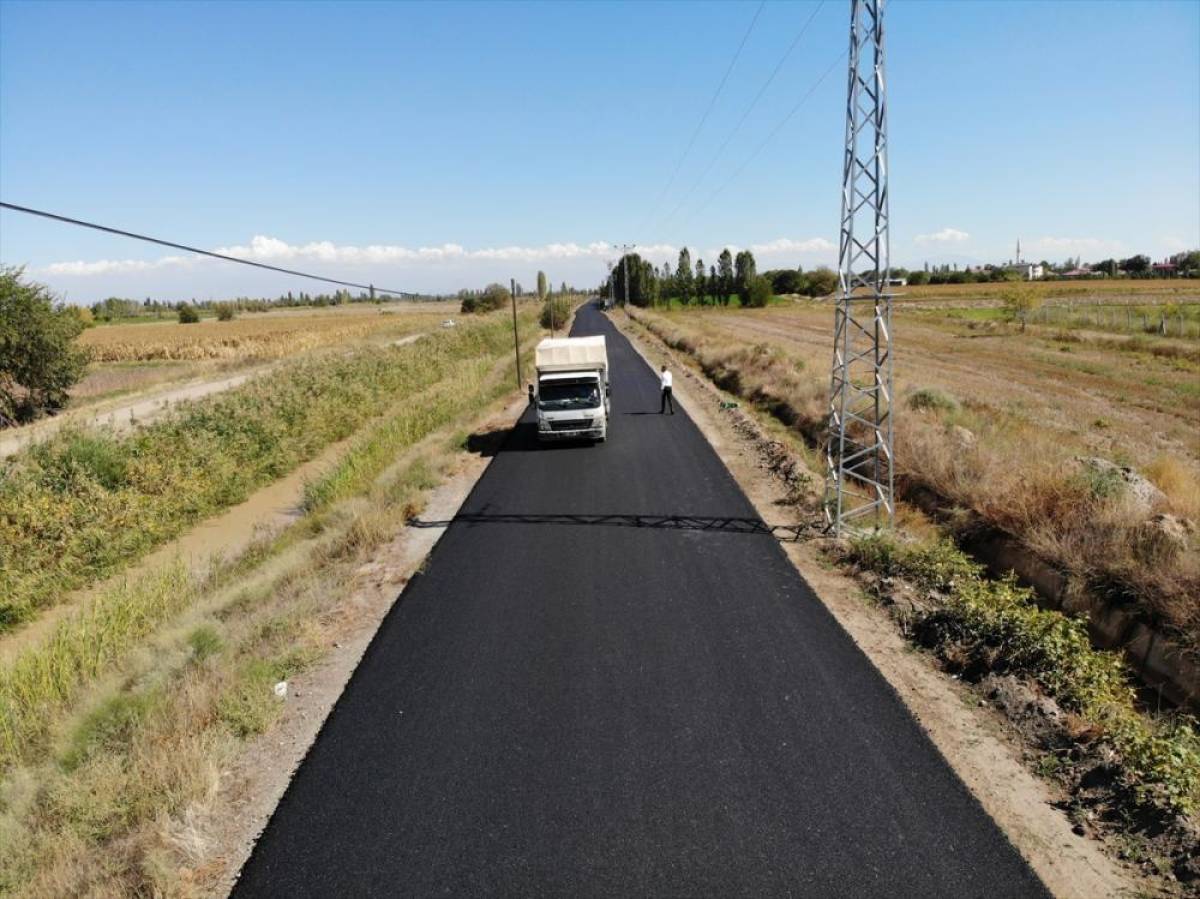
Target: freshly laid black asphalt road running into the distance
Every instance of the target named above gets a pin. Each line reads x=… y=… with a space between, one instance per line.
x=566 y=708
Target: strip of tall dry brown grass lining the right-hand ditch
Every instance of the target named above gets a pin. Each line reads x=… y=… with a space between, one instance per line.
x=997 y=471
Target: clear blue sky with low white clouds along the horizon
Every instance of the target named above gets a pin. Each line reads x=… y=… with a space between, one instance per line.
x=434 y=147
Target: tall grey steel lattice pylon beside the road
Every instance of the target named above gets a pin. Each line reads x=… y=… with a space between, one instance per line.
x=859 y=456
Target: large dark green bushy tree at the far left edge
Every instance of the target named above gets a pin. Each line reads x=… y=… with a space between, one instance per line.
x=39 y=361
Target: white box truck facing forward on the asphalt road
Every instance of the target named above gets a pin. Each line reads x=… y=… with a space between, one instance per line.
x=573 y=389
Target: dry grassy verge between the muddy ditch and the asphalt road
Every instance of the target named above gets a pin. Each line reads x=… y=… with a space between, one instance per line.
x=117 y=759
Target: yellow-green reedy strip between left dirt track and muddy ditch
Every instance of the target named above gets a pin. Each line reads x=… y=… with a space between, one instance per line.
x=86 y=504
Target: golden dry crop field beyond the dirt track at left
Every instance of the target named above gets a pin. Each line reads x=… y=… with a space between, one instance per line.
x=273 y=335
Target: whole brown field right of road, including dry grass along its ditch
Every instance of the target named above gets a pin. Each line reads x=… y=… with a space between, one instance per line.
x=997 y=421
